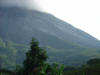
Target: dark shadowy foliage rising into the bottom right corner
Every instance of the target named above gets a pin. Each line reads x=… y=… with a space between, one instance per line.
x=91 y=68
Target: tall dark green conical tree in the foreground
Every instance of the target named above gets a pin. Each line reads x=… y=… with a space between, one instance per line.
x=35 y=57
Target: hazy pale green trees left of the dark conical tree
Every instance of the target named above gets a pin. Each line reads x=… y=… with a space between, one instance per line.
x=11 y=54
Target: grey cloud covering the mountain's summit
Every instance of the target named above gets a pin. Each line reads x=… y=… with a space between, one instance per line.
x=31 y=4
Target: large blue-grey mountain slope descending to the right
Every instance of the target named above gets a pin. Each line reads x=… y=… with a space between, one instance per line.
x=61 y=39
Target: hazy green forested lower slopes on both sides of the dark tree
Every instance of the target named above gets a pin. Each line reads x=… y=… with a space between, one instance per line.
x=12 y=54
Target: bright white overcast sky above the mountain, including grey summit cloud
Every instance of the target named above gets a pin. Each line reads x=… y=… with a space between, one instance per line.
x=83 y=14
